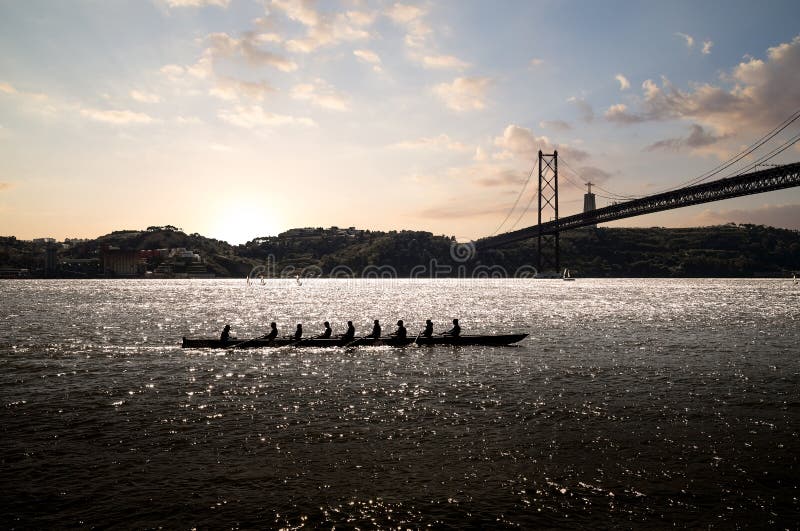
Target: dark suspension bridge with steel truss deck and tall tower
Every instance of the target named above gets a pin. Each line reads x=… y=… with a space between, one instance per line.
x=756 y=182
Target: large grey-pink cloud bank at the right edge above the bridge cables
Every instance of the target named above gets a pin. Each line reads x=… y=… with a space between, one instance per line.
x=761 y=94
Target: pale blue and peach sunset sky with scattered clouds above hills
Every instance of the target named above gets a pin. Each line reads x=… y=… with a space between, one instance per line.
x=244 y=118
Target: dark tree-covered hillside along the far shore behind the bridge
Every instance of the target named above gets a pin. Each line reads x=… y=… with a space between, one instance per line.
x=721 y=251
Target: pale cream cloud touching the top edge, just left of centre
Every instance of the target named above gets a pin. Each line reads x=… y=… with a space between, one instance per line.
x=323 y=29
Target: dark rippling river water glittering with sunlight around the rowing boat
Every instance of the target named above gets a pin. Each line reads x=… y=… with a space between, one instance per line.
x=634 y=403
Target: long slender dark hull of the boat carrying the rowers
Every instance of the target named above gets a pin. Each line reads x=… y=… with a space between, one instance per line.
x=489 y=340
